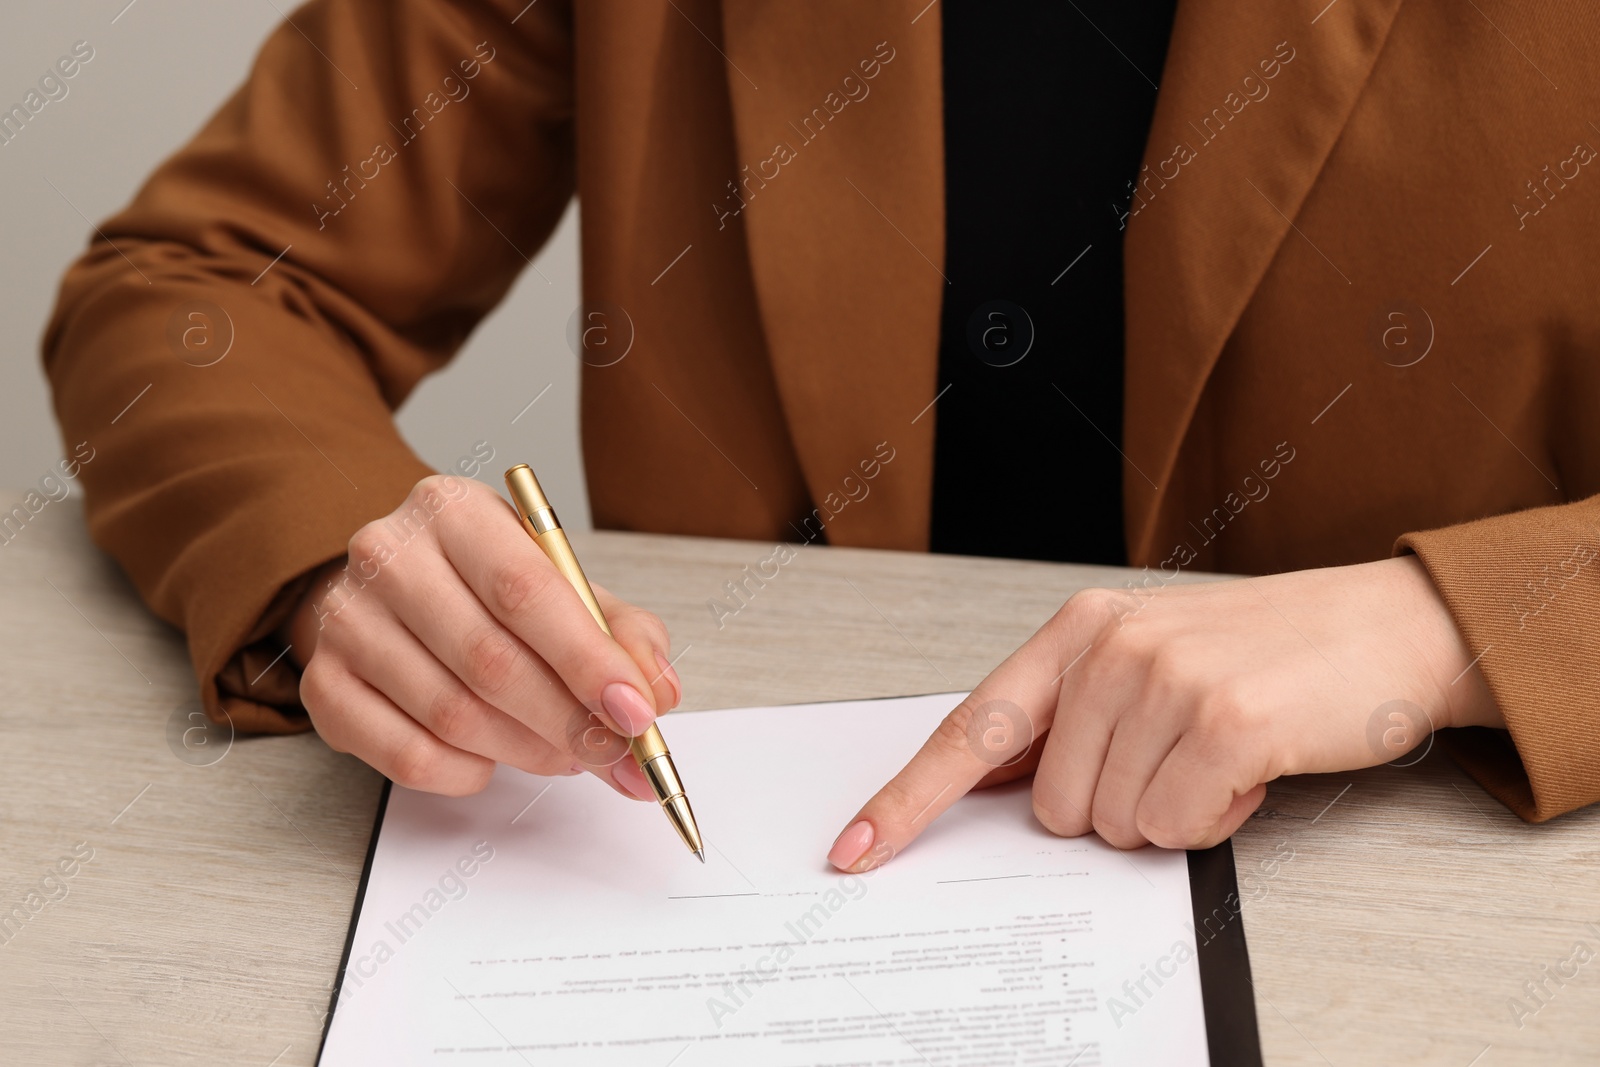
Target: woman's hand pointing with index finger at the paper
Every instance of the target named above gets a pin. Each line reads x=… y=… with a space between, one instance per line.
x=1161 y=716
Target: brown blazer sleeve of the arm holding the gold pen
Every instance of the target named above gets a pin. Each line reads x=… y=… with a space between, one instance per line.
x=228 y=354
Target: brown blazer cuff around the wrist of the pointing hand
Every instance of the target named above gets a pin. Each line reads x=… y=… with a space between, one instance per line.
x=1526 y=593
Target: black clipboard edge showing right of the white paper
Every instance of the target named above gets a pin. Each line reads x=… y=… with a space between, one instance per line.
x=1226 y=989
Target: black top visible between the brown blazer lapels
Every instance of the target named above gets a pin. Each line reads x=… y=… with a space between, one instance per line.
x=1047 y=108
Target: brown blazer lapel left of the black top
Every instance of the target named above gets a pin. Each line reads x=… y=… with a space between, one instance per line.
x=841 y=201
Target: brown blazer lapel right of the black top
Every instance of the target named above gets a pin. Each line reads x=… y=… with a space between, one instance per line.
x=1252 y=103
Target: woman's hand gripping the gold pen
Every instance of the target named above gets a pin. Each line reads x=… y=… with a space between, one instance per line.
x=449 y=644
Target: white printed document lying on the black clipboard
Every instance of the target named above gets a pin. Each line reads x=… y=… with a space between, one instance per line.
x=553 y=922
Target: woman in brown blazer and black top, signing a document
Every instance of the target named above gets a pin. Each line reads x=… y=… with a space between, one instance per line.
x=1185 y=329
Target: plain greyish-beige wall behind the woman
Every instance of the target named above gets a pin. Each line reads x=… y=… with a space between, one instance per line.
x=161 y=68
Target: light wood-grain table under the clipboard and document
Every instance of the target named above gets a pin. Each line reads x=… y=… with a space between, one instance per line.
x=209 y=924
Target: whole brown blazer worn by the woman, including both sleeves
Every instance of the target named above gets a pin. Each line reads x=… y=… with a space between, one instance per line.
x=1361 y=271
